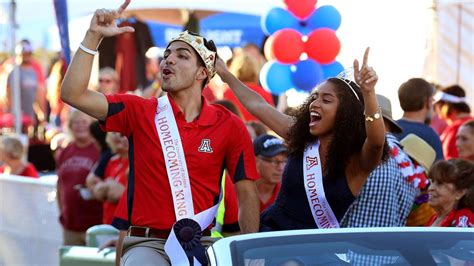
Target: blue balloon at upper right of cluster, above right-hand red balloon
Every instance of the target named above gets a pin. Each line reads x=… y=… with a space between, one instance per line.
x=325 y=17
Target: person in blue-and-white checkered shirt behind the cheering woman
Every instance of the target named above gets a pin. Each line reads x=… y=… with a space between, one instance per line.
x=388 y=195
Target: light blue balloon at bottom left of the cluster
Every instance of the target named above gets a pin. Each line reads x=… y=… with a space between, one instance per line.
x=276 y=77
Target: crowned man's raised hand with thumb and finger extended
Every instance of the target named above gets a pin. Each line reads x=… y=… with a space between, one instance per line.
x=103 y=23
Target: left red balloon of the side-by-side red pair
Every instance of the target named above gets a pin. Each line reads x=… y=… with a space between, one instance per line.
x=287 y=46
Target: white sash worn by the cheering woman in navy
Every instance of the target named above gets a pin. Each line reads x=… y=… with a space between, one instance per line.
x=313 y=183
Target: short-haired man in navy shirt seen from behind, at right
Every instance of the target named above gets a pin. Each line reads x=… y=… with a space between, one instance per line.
x=416 y=97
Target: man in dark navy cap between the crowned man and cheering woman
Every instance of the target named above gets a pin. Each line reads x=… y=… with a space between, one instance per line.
x=271 y=157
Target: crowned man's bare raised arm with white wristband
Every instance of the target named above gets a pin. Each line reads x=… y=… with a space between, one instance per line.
x=74 y=88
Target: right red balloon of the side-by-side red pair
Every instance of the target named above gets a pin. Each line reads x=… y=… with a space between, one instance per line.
x=323 y=45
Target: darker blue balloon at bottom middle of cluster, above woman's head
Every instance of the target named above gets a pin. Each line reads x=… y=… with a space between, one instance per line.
x=307 y=74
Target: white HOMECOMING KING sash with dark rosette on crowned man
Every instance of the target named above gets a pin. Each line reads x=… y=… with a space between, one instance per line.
x=183 y=245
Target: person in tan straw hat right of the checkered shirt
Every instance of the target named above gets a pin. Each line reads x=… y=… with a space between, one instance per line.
x=424 y=155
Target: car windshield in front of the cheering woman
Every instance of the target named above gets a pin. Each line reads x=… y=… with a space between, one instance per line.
x=413 y=248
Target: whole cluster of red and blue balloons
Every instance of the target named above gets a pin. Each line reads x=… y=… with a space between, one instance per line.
x=300 y=28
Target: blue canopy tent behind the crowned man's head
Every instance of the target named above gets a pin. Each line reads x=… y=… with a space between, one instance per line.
x=225 y=29
